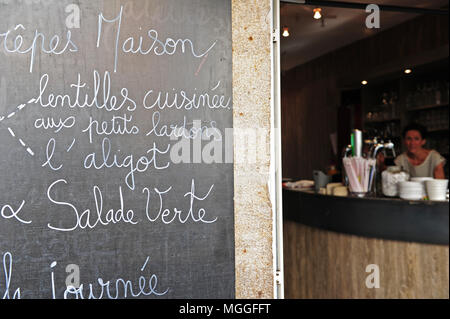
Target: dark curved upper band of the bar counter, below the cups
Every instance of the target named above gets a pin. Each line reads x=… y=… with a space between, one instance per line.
x=384 y=218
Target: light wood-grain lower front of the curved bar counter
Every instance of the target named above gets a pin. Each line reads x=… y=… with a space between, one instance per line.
x=324 y=264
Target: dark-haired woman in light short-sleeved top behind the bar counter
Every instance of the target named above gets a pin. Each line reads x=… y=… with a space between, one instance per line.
x=417 y=160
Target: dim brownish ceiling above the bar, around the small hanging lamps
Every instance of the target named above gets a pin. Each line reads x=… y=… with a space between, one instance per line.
x=309 y=39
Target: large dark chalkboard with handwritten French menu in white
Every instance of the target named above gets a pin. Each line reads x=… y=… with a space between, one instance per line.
x=116 y=179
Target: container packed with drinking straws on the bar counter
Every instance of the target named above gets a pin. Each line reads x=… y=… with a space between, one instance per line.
x=360 y=174
